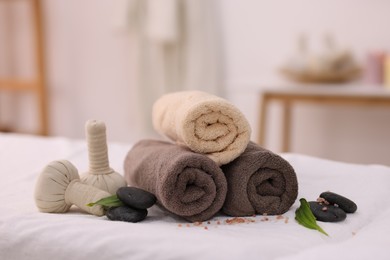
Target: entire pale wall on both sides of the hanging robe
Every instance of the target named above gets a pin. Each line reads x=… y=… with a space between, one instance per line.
x=91 y=74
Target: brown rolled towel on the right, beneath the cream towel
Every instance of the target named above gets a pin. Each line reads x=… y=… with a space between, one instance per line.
x=259 y=182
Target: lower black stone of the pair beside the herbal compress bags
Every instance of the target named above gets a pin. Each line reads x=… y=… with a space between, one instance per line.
x=124 y=213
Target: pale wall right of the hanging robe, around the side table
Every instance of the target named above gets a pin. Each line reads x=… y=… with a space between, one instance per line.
x=260 y=35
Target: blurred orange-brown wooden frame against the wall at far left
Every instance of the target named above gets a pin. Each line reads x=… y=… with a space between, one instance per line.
x=36 y=85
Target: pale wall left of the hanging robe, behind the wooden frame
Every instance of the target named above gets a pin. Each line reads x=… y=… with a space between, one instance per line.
x=89 y=68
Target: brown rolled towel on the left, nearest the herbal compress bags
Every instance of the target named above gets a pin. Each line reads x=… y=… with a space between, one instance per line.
x=185 y=183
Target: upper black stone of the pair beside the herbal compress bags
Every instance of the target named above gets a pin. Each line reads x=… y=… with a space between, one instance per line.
x=136 y=198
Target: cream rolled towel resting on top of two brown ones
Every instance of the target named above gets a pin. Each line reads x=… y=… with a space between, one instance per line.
x=203 y=122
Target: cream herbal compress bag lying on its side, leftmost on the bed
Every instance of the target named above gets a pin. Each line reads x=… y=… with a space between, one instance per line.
x=58 y=188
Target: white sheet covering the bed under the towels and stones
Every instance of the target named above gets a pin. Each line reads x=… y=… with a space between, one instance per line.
x=26 y=233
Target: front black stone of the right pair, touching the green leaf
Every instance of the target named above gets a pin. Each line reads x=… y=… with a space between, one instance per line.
x=327 y=213
